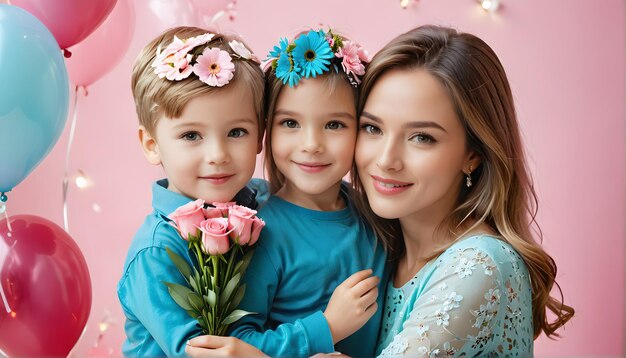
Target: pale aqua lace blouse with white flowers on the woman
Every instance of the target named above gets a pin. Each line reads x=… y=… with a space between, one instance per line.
x=473 y=300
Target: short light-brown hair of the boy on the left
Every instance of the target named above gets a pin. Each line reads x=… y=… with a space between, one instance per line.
x=156 y=96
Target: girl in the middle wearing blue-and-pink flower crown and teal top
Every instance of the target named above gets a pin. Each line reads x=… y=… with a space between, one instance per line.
x=313 y=239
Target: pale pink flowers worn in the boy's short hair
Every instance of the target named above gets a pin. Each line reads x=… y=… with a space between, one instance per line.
x=213 y=65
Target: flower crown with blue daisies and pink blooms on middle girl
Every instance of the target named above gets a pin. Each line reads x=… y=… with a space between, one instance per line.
x=312 y=53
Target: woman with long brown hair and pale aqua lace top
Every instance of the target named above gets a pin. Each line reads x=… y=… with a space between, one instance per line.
x=440 y=159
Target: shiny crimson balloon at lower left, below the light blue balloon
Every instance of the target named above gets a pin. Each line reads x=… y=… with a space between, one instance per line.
x=45 y=288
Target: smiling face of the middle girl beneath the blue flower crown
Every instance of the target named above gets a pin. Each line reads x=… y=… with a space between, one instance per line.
x=313 y=137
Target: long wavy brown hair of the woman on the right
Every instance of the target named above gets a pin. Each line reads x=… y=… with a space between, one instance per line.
x=503 y=195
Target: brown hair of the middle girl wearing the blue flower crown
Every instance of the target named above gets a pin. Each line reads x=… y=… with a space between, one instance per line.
x=273 y=87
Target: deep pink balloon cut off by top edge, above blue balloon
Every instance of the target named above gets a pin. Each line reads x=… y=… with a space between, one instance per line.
x=70 y=21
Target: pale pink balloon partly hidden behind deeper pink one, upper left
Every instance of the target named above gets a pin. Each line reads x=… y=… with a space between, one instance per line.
x=104 y=49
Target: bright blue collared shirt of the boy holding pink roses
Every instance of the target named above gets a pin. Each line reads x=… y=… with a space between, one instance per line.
x=155 y=325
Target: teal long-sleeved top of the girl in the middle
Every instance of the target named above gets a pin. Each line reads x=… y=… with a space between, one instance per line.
x=301 y=257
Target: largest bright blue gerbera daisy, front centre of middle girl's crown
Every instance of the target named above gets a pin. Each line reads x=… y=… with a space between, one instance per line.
x=312 y=54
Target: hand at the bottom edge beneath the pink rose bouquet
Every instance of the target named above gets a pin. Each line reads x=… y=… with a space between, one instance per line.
x=216 y=346
